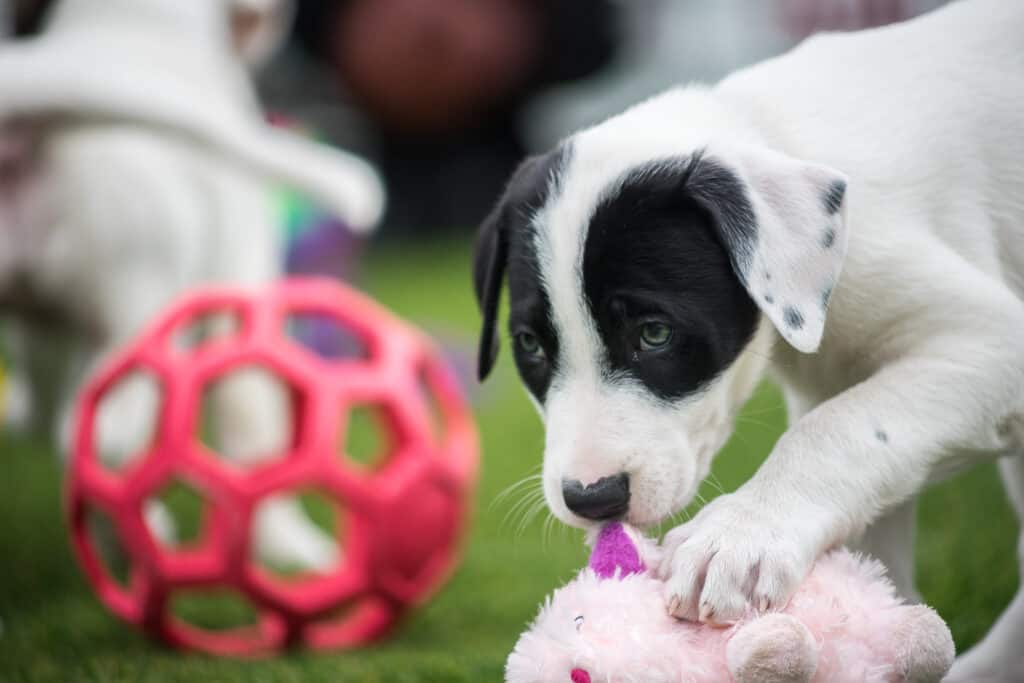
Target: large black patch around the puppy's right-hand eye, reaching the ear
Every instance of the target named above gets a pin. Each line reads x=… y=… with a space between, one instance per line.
x=665 y=247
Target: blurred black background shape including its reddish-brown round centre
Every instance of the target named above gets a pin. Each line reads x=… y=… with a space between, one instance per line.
x=444 y=83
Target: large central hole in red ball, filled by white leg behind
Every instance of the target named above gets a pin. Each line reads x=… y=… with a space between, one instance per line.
x=247 y=417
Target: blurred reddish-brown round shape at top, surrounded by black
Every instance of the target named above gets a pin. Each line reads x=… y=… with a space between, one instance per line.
x=430 y=67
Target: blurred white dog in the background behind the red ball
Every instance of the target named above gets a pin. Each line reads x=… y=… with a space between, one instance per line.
x=136 y=163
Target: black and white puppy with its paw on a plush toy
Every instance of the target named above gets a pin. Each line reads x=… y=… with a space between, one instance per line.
x=661 y=263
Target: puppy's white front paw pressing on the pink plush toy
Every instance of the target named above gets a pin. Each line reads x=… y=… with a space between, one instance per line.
x=733 y=558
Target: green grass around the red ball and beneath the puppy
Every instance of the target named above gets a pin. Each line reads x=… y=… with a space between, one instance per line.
x=53 y=628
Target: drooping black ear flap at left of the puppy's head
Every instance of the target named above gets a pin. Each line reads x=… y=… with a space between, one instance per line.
x=490 y=260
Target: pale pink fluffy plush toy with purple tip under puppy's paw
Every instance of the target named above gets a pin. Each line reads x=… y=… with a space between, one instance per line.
x=843 y=625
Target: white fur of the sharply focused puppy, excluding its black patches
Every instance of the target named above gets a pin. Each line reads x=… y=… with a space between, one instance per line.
x=919 y=370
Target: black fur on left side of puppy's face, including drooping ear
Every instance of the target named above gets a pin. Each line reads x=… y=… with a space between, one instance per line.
x=505 y=242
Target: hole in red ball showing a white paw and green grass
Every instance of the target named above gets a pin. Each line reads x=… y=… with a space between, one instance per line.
x=298 y=534
